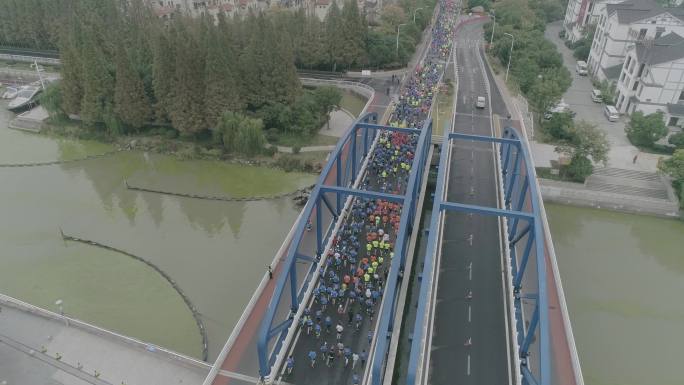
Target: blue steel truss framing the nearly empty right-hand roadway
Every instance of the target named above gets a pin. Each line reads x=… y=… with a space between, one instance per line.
x=522 y=212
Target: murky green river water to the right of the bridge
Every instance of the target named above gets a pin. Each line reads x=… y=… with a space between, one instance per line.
x=623 y=277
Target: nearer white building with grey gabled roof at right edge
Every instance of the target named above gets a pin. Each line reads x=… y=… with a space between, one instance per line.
x=652 y=78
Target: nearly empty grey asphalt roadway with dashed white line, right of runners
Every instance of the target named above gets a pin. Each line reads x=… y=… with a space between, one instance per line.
x=471 y=260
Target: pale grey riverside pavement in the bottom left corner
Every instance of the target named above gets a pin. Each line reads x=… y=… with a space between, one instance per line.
x=23 y=337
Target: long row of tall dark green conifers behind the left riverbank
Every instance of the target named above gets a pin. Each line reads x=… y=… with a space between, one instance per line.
x=123 y=68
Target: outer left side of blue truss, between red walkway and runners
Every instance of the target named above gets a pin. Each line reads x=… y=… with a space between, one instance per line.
x=342 y=170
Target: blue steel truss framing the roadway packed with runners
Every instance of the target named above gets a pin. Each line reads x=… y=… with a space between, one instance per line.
x=337 y=182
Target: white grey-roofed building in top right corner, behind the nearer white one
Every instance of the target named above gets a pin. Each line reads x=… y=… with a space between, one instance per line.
x=621 y=25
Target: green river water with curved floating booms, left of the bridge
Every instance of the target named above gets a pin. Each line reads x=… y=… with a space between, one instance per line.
x=215 y=251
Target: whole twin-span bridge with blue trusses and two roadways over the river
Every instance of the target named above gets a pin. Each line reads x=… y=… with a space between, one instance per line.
x=489 y=301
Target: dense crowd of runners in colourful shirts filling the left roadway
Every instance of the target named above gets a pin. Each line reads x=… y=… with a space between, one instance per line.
x=356 y=267
